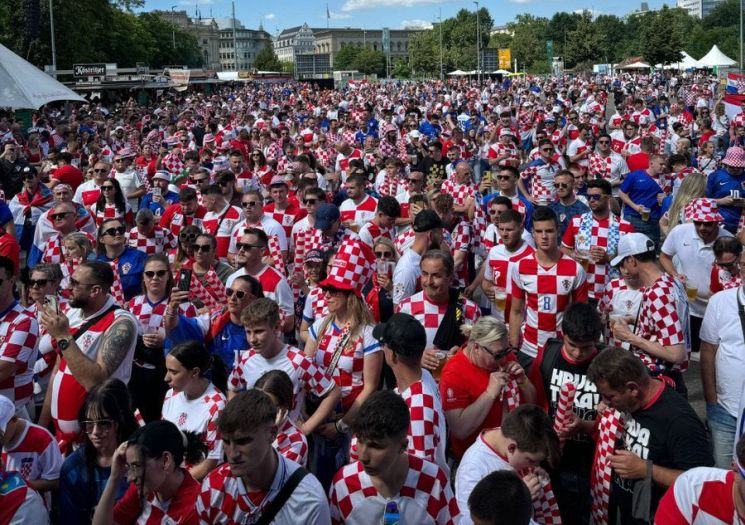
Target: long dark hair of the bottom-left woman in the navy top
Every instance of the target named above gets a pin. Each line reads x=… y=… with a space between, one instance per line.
x=110 y=399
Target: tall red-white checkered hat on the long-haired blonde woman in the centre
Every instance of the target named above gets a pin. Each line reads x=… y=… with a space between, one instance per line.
x=352 y=268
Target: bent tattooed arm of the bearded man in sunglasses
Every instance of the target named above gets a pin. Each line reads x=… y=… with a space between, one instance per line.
x=116 y=342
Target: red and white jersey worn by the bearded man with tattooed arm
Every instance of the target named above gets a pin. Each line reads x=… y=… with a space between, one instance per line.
x=67 y=394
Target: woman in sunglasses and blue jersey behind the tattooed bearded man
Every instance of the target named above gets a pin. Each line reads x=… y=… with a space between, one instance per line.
x=128 y=263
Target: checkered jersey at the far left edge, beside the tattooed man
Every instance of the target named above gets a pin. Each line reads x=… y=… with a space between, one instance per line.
x=18 y=346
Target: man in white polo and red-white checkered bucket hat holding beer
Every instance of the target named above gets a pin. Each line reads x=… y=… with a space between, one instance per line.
x=693 y=243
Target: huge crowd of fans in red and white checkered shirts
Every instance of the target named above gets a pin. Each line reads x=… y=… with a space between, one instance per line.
x=405 y=302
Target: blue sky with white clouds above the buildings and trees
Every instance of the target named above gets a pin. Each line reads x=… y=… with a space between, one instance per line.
x=281 y=14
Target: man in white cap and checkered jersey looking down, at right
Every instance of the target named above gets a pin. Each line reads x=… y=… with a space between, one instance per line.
x=660 y=336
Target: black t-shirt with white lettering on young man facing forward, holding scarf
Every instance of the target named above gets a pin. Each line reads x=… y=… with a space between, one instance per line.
x=579 y=450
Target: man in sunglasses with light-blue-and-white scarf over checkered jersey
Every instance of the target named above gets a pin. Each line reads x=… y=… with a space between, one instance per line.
x=592 y=237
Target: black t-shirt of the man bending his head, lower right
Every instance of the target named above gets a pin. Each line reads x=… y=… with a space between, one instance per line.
x=669 y=433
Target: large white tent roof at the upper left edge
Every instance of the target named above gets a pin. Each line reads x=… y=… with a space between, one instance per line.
x=24 y=86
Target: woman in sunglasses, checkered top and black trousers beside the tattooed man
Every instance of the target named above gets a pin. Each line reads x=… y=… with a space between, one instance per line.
x=148 y=368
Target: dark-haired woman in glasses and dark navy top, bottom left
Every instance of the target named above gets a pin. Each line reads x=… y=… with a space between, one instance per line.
x=107 y=420
